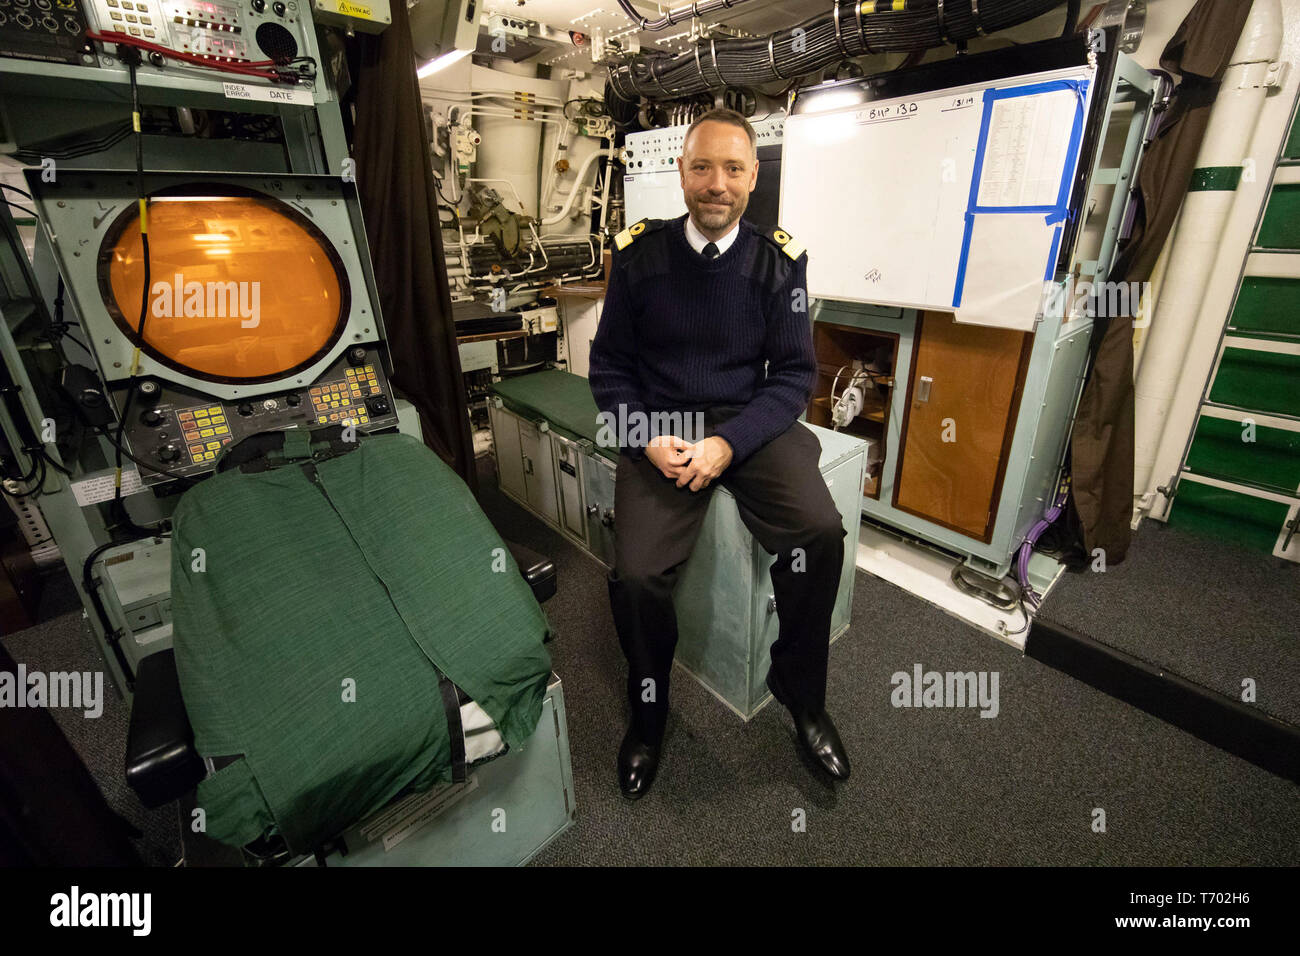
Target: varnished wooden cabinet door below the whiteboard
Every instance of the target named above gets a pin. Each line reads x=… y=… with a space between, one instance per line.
x=963 y=403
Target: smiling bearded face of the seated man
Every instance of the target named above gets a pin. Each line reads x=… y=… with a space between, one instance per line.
x=718 y=172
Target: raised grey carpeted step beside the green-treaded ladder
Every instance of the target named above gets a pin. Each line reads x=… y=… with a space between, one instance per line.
x=1207 y=611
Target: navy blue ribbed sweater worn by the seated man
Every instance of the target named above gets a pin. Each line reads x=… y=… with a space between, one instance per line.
x=681 y=332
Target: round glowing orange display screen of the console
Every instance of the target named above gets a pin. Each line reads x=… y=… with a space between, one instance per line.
x=241 y=288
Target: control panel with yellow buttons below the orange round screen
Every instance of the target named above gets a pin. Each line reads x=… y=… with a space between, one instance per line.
x=185 y=432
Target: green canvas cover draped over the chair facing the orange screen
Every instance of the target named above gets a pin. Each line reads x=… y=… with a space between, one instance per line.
x=309 y=628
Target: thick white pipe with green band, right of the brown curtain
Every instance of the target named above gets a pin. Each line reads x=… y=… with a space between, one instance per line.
x=1180 y=352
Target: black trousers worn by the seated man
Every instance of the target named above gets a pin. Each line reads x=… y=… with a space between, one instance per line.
x=787 y=508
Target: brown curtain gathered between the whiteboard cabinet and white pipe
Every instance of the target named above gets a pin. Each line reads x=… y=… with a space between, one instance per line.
x=1102 y=451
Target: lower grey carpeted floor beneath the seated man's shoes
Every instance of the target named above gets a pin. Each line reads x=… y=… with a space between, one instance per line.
x=929 y=786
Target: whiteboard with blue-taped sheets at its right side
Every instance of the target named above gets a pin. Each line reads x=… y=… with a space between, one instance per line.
x=950 y=201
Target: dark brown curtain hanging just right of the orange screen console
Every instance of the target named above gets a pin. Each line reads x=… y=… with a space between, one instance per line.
x=396 y=183
